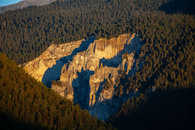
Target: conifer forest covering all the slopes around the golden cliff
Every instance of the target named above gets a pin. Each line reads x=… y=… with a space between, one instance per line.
x=165 y=63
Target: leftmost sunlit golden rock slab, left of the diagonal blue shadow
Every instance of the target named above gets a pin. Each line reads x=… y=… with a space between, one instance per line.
x=37 y=67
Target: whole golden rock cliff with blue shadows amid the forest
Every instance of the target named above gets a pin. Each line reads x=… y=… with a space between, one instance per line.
x=86 y=71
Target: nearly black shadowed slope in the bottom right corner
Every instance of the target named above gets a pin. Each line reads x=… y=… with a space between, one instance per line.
x=172 y=109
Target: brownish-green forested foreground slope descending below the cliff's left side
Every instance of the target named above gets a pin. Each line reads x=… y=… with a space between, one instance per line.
x=27 y=104
